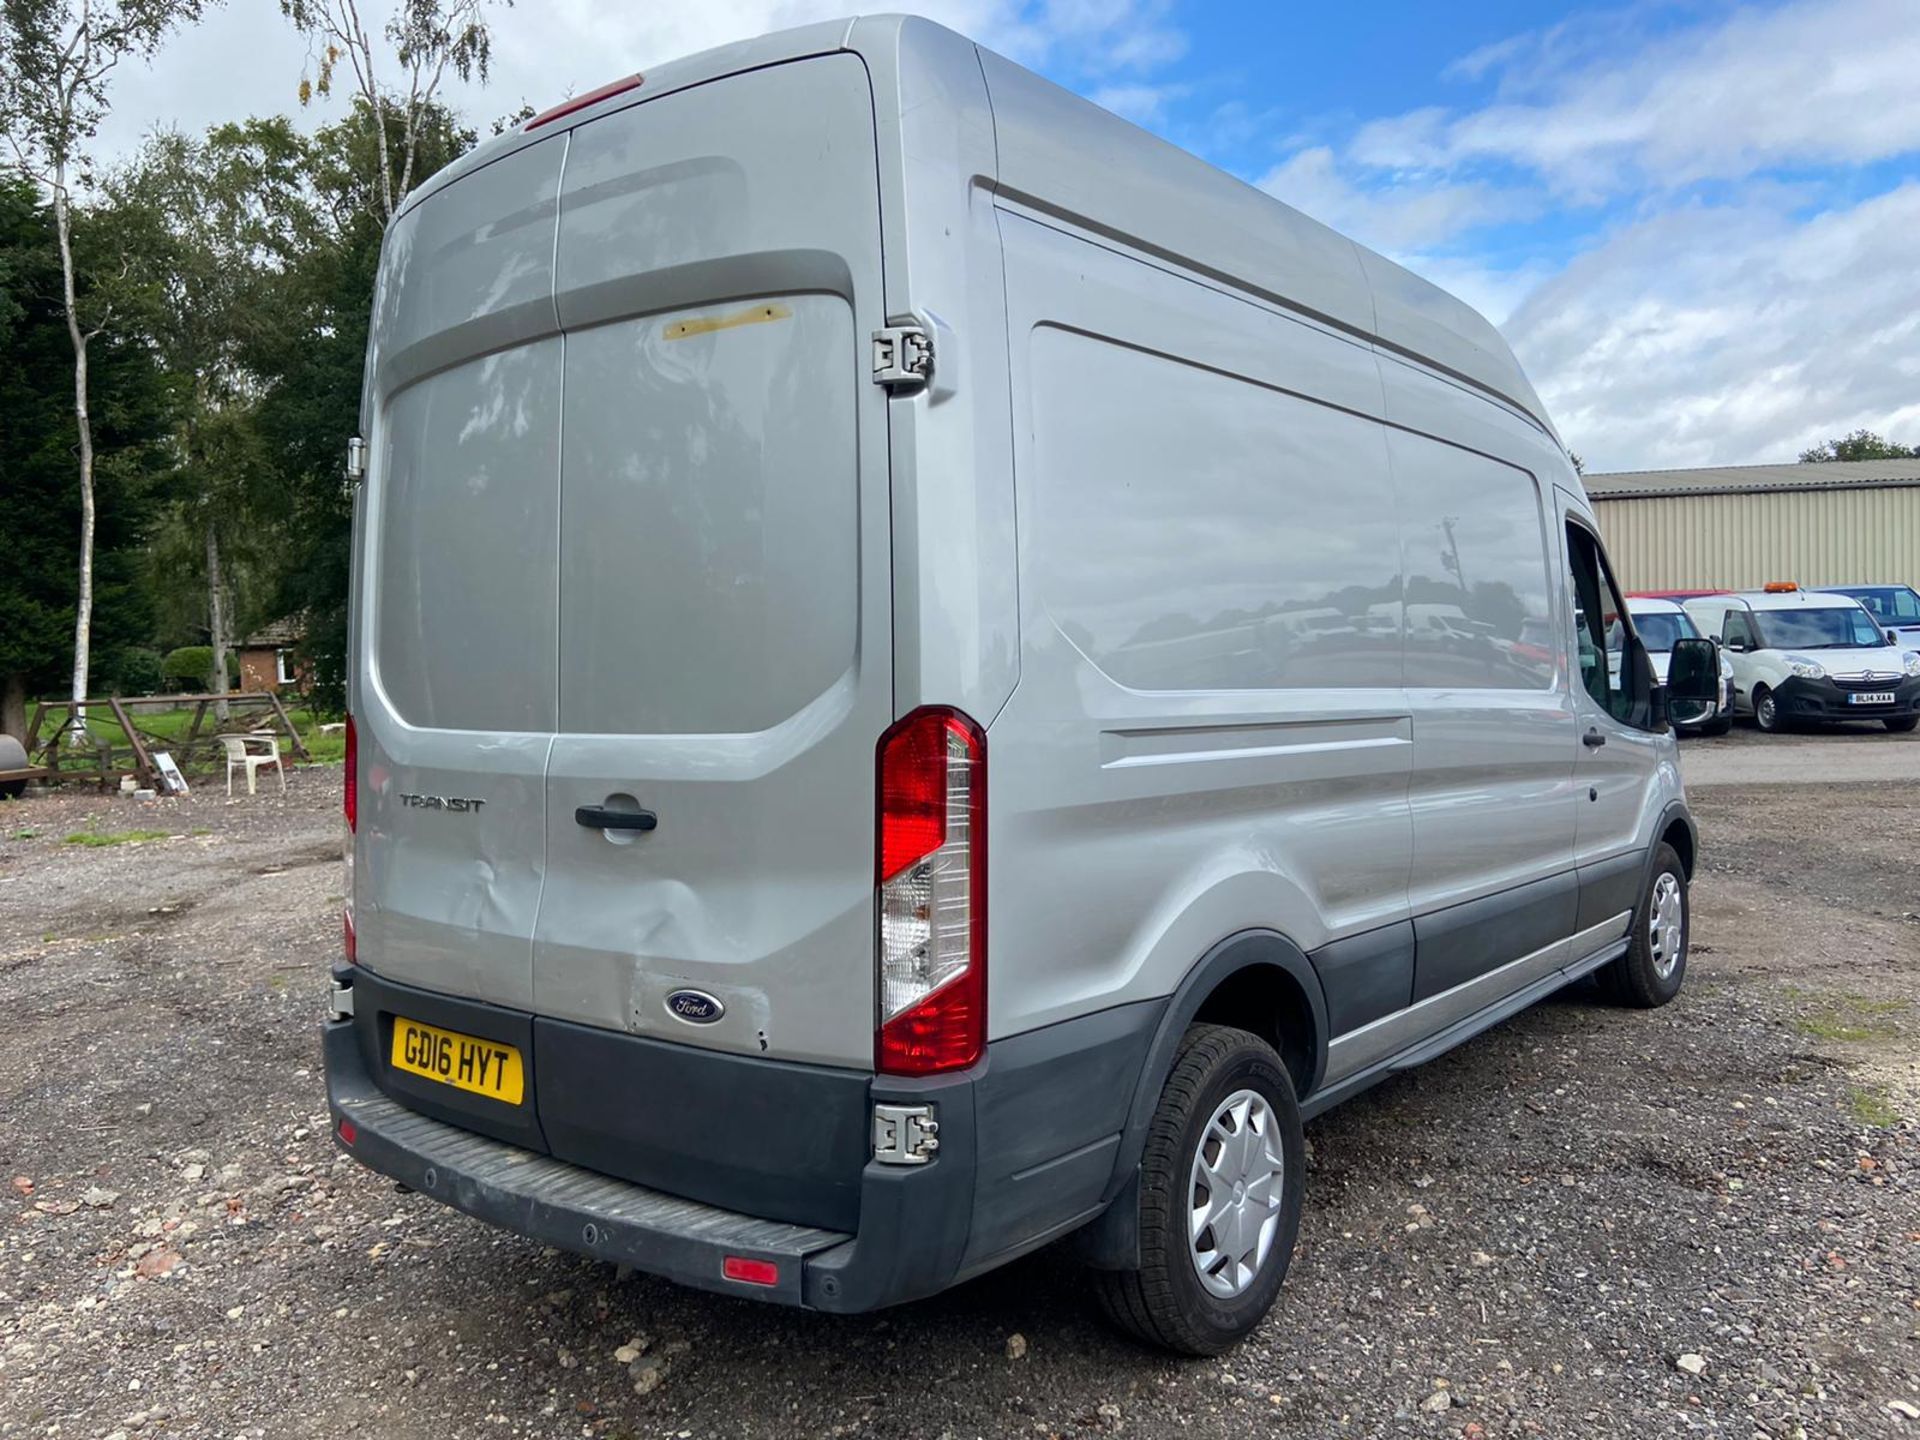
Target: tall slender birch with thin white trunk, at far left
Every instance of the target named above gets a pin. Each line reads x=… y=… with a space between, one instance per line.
x=57 y=68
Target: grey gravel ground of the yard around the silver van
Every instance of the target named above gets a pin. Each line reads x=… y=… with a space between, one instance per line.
x=1587 y=1222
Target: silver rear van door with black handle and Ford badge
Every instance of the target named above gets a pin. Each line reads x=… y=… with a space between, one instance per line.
x=723 y=571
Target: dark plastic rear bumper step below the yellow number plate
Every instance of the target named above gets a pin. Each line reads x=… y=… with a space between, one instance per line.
x=556 y=1203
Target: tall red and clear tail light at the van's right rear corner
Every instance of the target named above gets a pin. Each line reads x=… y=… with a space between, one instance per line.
x=932 y=890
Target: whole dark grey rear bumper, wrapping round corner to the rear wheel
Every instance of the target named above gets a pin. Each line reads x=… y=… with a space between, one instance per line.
x=1028 y=1143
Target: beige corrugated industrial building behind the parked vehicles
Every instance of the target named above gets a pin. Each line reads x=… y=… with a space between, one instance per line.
x=1740 y=527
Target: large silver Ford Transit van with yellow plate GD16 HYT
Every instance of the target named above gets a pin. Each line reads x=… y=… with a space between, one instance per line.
x=934 y=675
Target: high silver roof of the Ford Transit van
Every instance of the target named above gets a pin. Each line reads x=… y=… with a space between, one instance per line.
x=1141 y=189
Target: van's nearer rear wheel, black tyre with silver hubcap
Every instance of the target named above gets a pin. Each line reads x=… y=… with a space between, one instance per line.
x=1224 y=1155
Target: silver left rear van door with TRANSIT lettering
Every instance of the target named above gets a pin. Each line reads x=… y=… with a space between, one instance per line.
x=456 y=686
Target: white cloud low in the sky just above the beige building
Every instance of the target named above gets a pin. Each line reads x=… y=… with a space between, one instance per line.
x=1731 y=335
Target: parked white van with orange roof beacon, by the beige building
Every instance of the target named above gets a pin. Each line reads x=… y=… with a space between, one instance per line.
x=1810 y=656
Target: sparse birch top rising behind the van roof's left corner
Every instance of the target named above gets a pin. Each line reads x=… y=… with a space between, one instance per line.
x=398 y=87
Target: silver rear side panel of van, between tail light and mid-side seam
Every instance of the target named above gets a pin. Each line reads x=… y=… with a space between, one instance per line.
x=1209 y=732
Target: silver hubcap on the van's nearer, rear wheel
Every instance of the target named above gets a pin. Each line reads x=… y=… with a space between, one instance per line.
x=1236 y=1193
